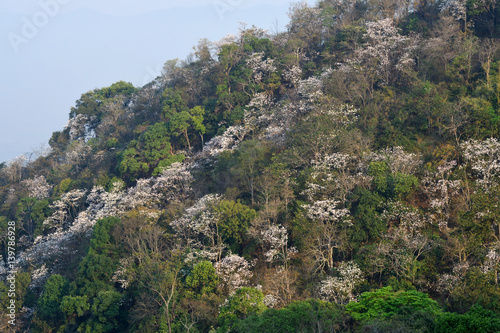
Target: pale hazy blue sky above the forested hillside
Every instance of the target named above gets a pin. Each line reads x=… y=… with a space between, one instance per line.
x=52 y=51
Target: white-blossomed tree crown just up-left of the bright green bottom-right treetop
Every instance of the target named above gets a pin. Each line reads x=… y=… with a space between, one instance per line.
x=340 y=289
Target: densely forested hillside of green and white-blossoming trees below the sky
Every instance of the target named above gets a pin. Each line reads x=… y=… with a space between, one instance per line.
x=341 y=176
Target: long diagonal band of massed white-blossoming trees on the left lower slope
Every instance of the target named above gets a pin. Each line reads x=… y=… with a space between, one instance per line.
x=145 y=197
